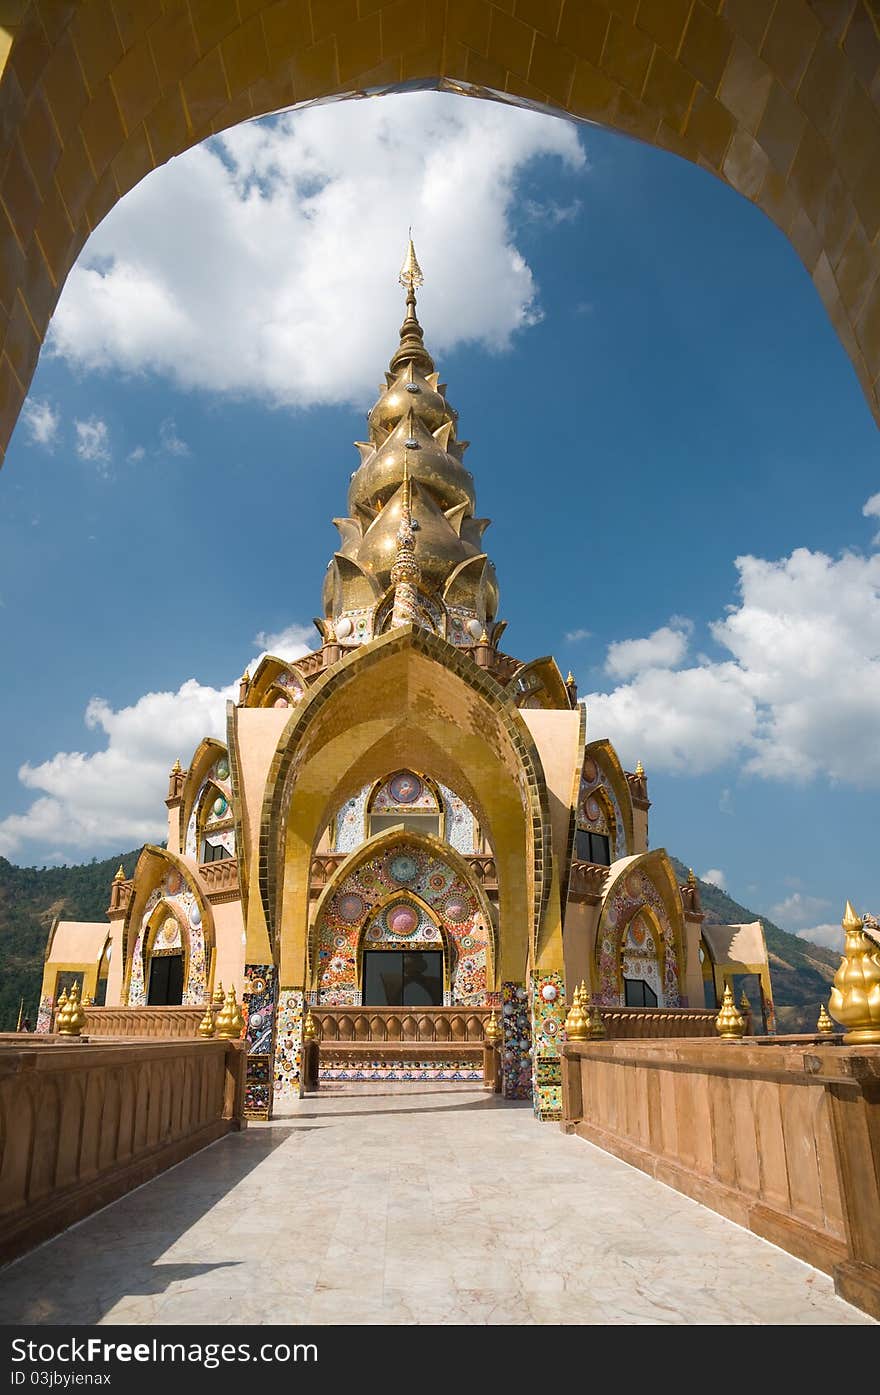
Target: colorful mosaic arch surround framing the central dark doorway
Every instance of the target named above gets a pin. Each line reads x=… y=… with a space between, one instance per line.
x=377 y=903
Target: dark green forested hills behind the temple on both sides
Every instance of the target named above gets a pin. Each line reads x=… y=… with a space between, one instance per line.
x=31 y=899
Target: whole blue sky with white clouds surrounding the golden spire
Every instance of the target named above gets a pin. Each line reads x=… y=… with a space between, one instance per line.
x=652 y=389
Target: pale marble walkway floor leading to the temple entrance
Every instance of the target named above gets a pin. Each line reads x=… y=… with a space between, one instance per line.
x=407 y=1206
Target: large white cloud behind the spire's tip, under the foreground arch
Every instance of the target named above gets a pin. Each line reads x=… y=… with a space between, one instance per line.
x=295 y=295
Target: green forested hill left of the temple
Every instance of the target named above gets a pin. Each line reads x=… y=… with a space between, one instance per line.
x=30 y=900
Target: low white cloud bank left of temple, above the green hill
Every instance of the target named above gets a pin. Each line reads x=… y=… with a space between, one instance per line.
x=115 y=797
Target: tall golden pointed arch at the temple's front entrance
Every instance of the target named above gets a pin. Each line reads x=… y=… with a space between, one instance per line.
x=411 y=698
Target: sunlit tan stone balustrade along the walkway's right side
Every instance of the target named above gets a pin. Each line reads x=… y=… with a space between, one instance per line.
x=780 y=1139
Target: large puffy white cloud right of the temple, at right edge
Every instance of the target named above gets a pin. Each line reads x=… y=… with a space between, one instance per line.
x=797 y=698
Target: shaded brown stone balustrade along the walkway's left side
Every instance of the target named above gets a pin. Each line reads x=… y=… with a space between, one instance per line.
x=82 y=1124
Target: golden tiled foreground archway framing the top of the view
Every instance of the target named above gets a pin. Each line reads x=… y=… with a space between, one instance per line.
x=777 y=101
